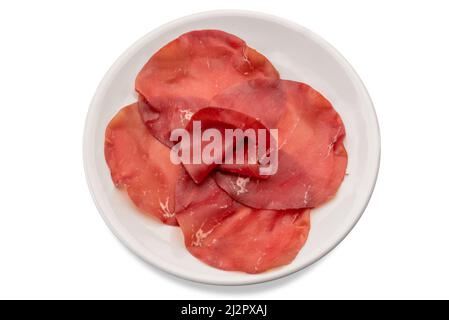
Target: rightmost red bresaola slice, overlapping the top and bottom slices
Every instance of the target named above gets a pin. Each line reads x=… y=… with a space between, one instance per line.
x=312 y=158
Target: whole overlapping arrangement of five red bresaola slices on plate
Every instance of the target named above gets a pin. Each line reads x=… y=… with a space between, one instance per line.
x=231 y=217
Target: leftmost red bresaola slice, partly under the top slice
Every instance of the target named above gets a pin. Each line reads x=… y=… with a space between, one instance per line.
x=141 y=165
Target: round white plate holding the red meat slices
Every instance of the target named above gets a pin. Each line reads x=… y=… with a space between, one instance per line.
x=299 y=55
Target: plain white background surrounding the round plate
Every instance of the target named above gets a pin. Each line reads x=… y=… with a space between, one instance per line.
x=54 y=244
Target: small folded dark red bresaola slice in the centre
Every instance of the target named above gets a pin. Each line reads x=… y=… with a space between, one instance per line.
x=222 y=119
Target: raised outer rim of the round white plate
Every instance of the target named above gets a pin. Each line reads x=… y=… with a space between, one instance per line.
x=126 y=239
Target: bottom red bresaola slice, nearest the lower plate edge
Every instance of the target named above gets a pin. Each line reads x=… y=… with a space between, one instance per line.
x=227 y=235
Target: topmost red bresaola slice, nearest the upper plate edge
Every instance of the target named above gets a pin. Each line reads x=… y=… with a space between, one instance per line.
x=185 y=74
